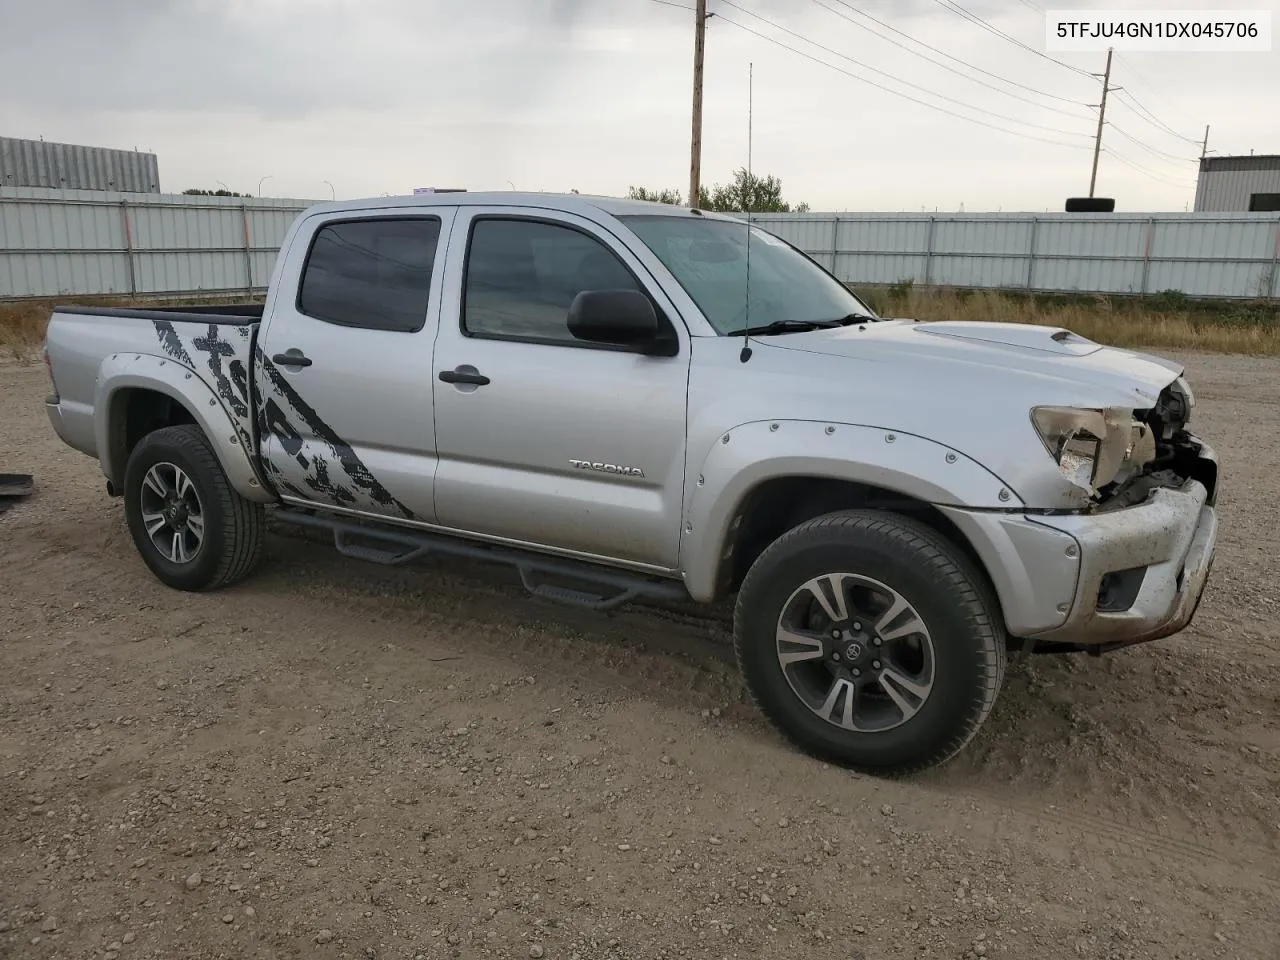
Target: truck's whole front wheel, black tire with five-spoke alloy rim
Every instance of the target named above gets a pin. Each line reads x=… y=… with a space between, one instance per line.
x=871 y=642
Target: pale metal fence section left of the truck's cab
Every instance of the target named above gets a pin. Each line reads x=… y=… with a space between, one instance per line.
x=88 y=243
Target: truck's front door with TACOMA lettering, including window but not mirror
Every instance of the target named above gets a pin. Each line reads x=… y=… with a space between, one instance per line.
x=542 y=438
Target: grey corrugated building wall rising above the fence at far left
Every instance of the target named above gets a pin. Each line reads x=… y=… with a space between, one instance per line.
x=36 y=163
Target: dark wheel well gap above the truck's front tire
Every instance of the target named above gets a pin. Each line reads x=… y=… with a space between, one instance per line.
x=783 y=504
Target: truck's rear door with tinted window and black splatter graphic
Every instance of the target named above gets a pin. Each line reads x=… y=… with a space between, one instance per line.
x=345 y=364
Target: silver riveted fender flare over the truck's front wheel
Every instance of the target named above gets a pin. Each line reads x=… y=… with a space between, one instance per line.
x=752 y=454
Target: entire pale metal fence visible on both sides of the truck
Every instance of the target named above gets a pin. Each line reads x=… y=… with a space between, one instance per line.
x=81 y=243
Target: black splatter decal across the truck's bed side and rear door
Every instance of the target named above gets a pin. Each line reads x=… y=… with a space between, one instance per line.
x=221 y=359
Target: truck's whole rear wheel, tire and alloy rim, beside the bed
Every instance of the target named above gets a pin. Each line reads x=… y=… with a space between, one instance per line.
x=190 y=527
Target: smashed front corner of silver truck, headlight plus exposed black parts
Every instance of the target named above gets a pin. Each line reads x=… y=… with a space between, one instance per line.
x=1116 y=458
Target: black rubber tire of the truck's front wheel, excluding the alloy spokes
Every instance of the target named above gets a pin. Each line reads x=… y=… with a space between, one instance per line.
x=966 y=638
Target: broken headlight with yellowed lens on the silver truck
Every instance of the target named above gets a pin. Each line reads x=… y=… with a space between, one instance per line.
x=1095 y=447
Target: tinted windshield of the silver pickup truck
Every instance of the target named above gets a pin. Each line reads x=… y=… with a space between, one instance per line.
x=708 y=259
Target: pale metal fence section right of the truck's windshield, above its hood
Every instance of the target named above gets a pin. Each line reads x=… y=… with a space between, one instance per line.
x=1203 y=255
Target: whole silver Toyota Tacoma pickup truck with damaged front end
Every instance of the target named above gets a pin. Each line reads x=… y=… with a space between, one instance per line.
x=629 y=400
